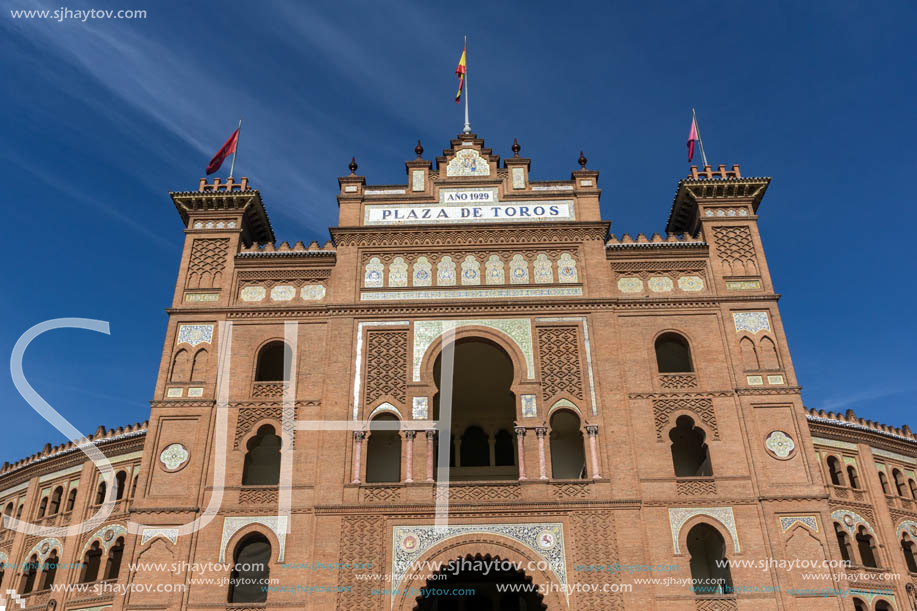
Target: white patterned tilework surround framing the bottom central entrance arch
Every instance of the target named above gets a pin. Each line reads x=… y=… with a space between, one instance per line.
x=545 y=540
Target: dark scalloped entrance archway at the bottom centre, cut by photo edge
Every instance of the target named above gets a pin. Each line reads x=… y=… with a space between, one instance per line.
x=479 y=576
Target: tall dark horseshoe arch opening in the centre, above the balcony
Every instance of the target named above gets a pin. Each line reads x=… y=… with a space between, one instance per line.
x=483 y=411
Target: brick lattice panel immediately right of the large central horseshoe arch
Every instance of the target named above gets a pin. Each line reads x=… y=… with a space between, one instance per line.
x=560 y=364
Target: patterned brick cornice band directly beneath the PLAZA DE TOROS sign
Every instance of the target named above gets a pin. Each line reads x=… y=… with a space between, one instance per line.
x=458 y=235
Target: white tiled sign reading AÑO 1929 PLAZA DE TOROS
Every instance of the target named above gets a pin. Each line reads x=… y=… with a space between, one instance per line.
x=468 y=206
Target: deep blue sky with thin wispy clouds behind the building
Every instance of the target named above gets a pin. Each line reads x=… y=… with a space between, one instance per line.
x=103 y=118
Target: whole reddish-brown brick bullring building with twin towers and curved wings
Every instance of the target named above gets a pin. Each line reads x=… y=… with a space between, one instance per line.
x=615 y=400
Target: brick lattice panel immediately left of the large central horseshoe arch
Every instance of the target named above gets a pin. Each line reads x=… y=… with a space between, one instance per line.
x=386 y=365
